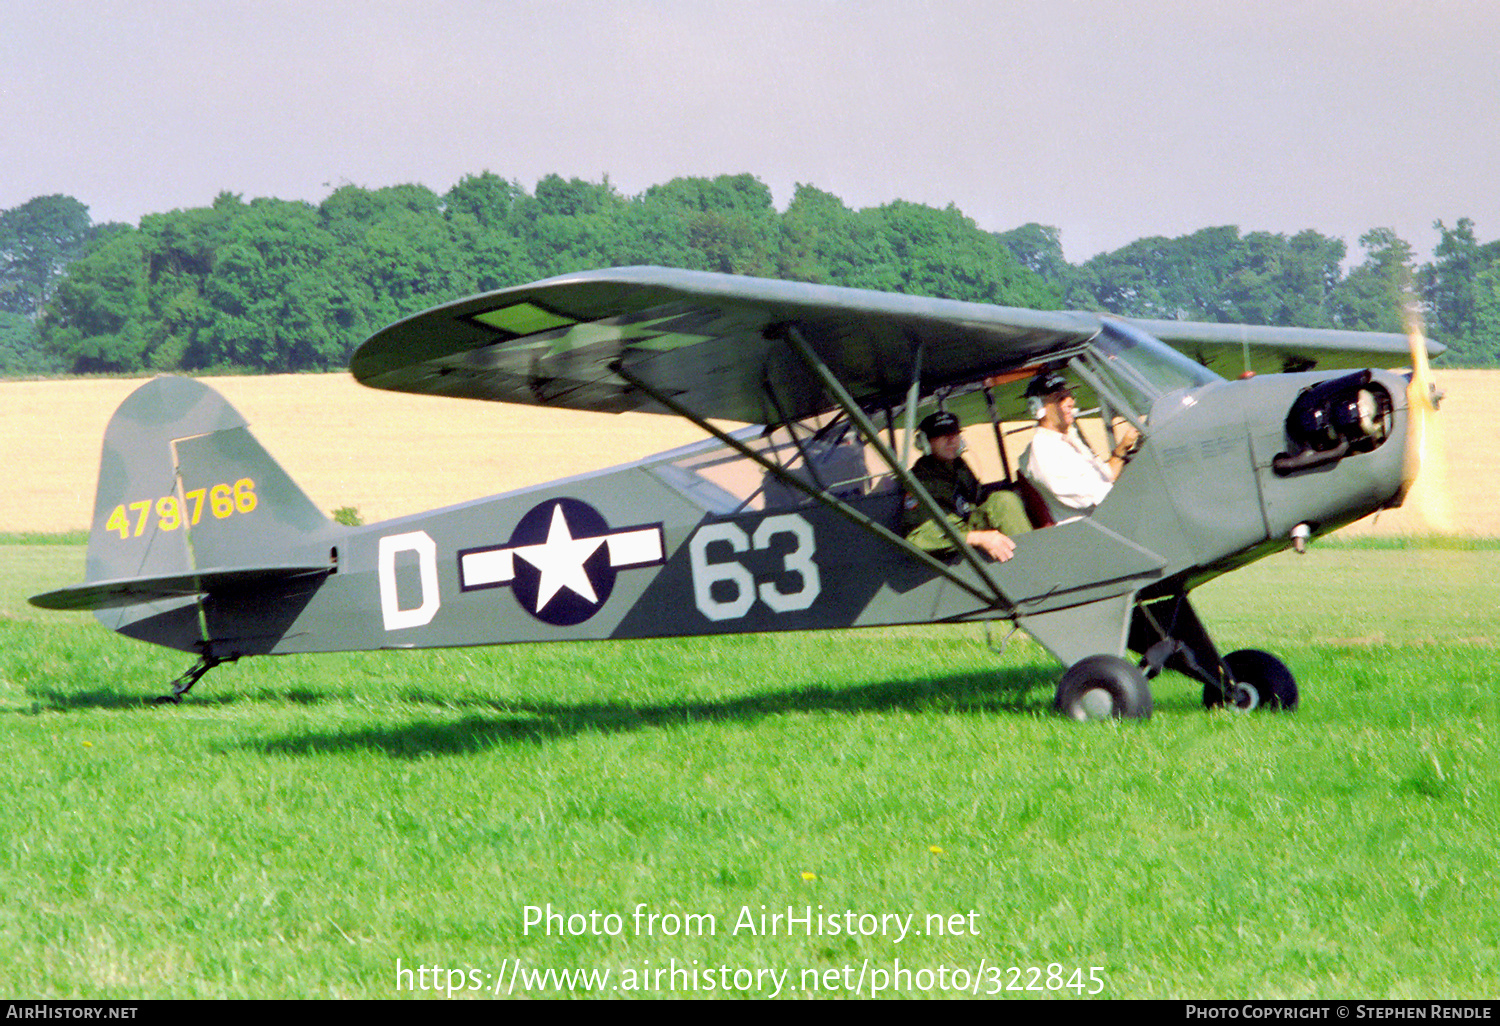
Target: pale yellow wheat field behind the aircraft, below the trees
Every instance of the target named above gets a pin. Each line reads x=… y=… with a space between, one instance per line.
x=391 y=455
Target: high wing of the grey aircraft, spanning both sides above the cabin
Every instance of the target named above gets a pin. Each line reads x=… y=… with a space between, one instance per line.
x=715 y=344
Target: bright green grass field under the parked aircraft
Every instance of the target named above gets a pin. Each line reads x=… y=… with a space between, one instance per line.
x=302 y=826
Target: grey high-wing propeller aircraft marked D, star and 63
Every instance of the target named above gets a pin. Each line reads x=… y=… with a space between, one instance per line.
x=200 y=542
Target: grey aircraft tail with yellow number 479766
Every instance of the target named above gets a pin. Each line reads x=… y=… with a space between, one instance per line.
x=190 y=503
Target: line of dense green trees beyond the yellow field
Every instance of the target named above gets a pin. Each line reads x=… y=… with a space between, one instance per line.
x=274 y=286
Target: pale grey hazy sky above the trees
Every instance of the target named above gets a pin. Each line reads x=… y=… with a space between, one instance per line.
x=1109 y=121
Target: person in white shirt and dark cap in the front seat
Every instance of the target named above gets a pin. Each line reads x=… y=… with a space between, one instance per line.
x=1067 y=473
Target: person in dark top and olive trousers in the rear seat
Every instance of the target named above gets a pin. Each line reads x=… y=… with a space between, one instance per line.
x=986 y=523
